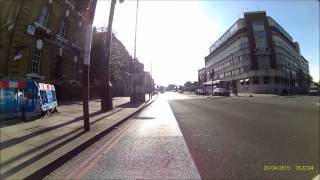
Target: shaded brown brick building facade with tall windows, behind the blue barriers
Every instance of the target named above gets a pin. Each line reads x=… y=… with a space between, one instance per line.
x=40 y=41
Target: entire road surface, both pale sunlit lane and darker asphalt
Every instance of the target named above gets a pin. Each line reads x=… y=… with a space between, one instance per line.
x=211 y=138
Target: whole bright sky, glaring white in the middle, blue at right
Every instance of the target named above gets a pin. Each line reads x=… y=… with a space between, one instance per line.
x=175 y=36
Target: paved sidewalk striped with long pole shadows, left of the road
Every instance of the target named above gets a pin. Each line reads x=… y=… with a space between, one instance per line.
x=31 y=149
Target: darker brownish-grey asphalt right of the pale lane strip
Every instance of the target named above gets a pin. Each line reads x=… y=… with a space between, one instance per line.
x=263 y=137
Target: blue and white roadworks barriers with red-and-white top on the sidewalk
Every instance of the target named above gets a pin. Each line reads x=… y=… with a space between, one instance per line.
x=26 y=99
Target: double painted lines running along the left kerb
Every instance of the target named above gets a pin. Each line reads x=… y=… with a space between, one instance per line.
x=84 y=167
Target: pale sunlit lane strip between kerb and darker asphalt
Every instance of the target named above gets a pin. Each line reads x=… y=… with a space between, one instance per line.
x=147 y=146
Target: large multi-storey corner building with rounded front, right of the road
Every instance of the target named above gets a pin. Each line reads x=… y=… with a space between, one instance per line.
x=256 y=55
